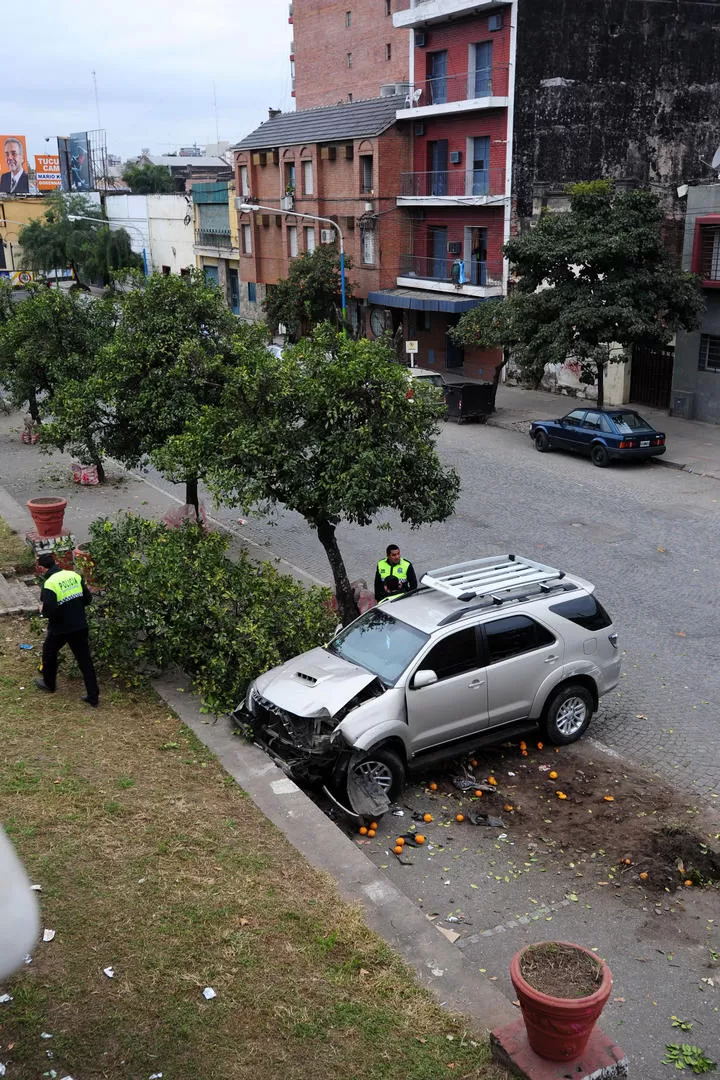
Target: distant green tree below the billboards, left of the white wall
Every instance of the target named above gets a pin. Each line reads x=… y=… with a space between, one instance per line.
x=89 y=248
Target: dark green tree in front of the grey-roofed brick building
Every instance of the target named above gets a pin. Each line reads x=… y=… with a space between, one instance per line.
x=310 y=294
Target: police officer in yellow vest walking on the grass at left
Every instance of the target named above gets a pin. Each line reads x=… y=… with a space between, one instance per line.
x=64 y=600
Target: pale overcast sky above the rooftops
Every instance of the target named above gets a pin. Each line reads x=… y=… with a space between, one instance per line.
x=156 y=63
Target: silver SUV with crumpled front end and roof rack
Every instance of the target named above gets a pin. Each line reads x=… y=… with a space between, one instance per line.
x=481 y=652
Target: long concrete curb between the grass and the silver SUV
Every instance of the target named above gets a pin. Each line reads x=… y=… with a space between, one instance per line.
x=440 y=966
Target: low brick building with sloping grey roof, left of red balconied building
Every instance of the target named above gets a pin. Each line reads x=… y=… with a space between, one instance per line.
x=342 y=163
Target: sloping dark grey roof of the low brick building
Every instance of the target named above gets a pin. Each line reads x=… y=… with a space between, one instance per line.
x=325 y=125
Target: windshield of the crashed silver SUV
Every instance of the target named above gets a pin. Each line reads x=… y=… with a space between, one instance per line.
x=381 y=644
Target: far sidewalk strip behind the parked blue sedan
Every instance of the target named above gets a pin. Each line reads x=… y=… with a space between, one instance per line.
x=691 y=445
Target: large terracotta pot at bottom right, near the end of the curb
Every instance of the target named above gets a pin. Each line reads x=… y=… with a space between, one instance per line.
x=559 y=1028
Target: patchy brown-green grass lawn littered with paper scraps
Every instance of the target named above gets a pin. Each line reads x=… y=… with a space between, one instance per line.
x=153 y=861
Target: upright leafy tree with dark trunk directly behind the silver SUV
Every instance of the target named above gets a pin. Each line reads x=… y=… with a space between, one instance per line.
x=327 y=430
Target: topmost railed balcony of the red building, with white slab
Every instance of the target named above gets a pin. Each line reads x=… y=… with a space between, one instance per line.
x=477 y=89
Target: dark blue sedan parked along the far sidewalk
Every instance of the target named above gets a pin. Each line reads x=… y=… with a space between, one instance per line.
x=605 y=435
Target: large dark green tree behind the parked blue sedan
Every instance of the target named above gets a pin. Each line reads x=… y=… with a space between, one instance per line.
x=592 y=283
